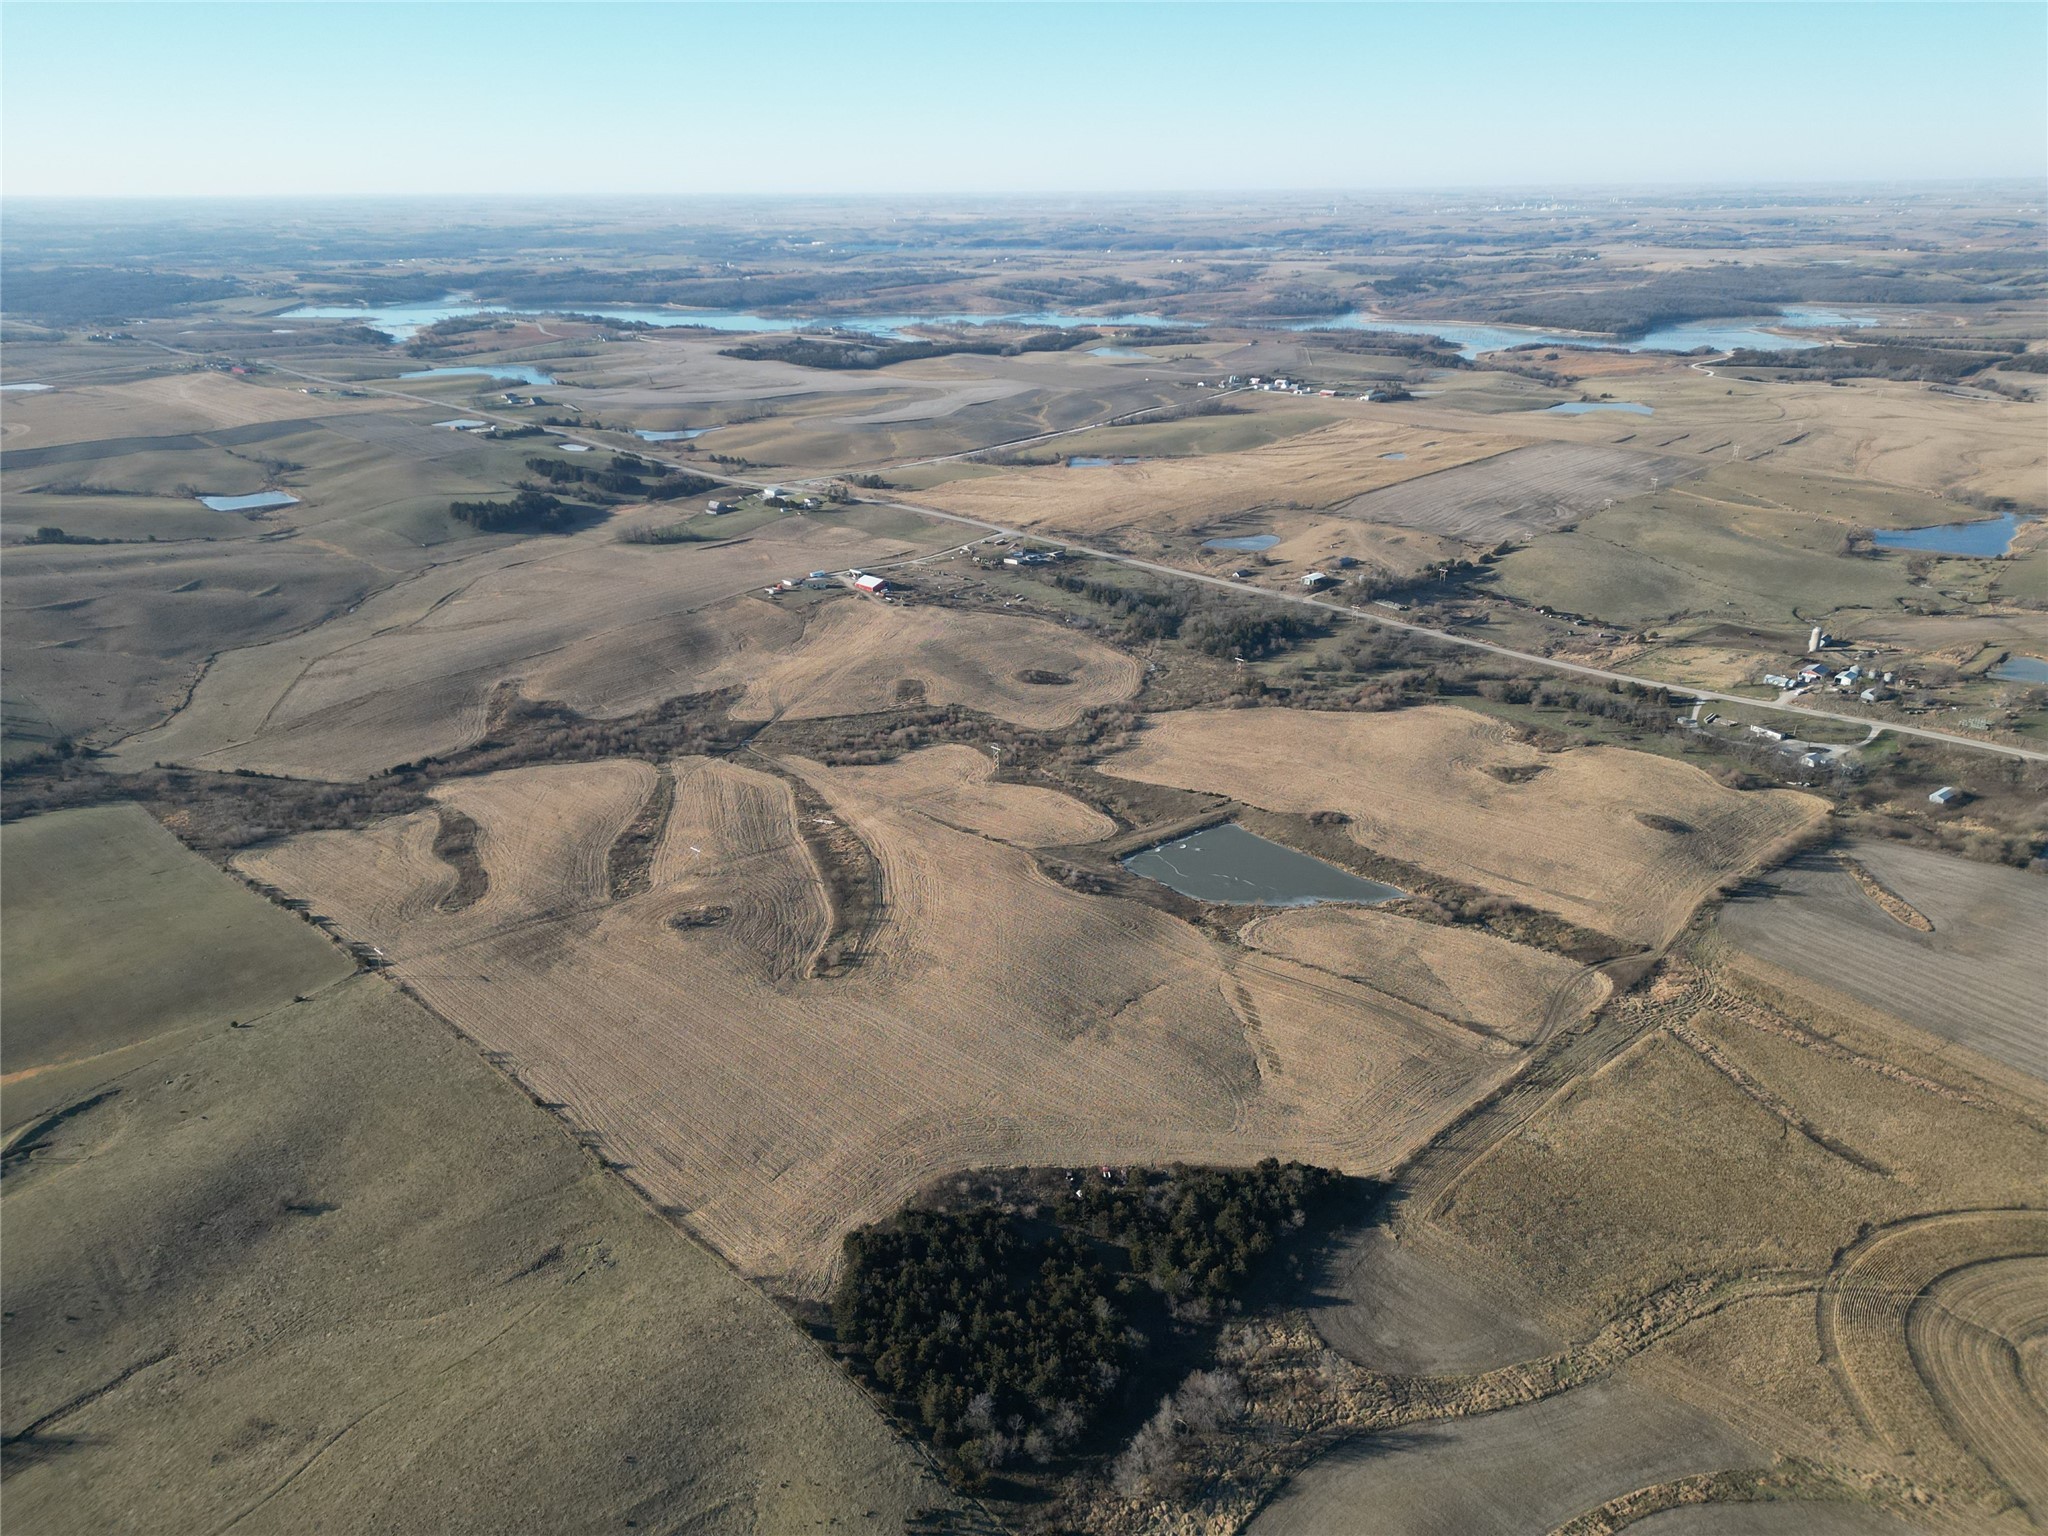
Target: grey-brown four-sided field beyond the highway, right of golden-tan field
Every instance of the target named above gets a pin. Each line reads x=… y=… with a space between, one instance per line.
x=1519 y=495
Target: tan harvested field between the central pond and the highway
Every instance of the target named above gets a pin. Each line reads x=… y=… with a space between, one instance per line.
x=1461 y=796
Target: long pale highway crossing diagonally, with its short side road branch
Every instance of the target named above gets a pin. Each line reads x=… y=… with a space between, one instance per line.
x=1177 y=572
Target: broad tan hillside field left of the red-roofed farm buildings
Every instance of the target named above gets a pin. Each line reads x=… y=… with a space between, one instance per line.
x=603 y=628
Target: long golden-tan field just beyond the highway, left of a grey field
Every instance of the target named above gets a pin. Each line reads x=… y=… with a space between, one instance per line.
x=1314 y=470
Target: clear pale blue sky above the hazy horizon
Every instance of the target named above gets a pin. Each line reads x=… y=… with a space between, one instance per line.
x=480 y=97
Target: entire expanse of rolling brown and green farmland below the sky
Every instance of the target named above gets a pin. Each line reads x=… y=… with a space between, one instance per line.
x=620 y=912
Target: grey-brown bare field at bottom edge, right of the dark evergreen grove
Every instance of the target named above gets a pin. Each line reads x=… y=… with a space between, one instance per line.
x=1510 y=1474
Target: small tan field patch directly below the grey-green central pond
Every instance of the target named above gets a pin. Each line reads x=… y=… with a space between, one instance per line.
x=1459 y=974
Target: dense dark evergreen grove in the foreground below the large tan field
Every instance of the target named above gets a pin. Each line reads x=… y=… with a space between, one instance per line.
x=1007 y=1332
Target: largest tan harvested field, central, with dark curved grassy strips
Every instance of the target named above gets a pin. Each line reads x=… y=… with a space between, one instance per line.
x=984 y=1015
